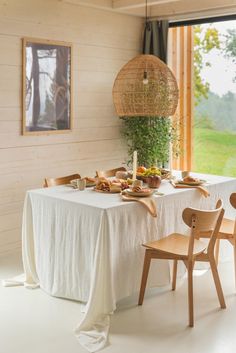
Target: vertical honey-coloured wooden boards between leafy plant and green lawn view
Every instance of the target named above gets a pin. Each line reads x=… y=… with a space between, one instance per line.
x=181 y=63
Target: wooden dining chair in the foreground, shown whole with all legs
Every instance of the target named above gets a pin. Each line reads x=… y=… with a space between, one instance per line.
x=188 y=249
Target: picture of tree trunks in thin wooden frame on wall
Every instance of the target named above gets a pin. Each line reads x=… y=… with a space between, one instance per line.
x=47 y=87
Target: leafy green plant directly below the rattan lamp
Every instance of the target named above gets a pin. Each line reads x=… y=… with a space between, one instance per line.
x=150 y=137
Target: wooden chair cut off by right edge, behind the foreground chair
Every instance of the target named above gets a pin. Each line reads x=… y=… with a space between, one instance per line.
x=227 y=232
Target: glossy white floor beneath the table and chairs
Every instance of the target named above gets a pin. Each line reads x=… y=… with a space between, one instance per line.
x=33 y=322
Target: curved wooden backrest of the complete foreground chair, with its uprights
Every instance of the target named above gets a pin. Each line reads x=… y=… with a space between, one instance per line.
x=203 y=221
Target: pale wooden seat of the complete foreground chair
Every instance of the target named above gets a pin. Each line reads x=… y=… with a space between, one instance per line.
x=176 y=244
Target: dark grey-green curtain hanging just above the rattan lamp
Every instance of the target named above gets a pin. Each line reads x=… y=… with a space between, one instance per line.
x=155 y=39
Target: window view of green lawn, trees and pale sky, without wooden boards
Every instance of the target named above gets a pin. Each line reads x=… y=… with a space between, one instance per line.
x=214 y=147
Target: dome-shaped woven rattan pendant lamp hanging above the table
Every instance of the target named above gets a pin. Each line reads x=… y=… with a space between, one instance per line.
x=145 y=86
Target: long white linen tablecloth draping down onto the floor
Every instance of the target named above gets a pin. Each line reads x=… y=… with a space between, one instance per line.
x=86 y=246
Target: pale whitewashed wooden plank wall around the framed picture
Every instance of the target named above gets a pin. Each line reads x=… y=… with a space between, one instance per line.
x=103 y=42
